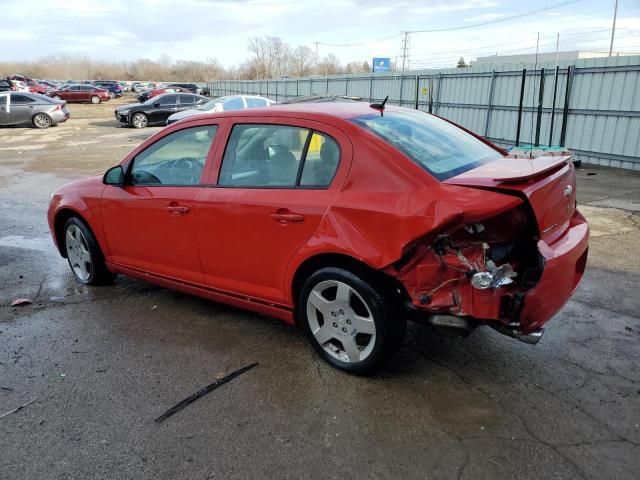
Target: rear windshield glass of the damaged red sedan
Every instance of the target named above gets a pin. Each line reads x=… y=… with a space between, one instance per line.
x=439 y=147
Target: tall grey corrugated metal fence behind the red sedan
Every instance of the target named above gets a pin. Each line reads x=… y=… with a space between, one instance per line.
x=591 y=106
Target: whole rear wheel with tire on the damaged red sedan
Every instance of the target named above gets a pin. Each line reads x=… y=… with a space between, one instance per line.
x=351 y=321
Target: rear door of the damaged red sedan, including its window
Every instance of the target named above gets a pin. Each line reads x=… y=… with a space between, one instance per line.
x=271 y=189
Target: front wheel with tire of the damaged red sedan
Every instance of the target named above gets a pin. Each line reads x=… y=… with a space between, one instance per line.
x=84 y=255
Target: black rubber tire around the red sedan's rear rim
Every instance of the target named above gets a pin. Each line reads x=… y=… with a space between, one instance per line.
x=388 y=317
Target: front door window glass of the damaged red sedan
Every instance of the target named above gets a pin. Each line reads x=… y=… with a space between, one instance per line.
x=177 y=159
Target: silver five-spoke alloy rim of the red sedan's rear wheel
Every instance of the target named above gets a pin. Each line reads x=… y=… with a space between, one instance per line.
x=341 y=321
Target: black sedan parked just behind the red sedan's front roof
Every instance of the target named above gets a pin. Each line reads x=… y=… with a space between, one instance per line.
x=157 y=109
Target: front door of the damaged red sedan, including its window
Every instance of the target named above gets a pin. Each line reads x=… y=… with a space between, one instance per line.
x=150 y=222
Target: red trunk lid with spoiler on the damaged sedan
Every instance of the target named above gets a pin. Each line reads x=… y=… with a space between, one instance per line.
x=547 y=183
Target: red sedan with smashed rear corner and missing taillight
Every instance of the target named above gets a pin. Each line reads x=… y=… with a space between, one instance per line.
x=346 y=219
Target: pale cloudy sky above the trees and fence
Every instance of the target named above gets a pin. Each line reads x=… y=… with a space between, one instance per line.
x=354 y=30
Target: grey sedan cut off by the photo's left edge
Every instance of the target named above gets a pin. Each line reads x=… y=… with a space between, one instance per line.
x=21 y=108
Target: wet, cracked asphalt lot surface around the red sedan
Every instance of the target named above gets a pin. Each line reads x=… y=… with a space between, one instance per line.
x=103 y=363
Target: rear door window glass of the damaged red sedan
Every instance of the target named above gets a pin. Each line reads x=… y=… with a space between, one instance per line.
x=278 y=156
